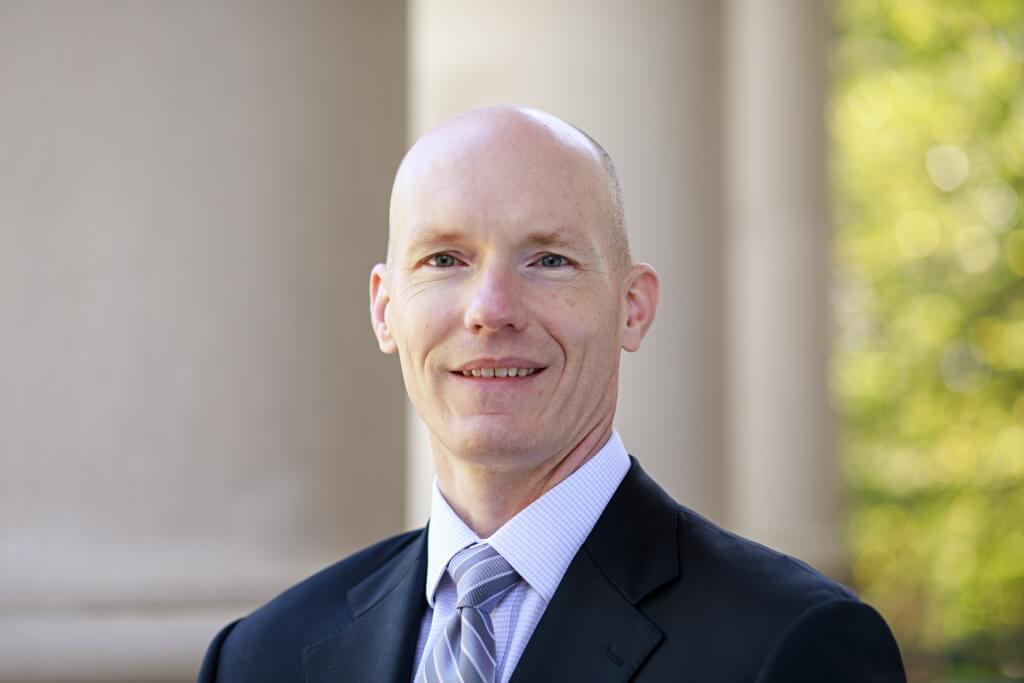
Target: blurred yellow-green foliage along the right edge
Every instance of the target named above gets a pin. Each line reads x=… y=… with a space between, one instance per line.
x=927 y=120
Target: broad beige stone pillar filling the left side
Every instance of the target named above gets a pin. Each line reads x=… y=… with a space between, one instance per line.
x=194 y=414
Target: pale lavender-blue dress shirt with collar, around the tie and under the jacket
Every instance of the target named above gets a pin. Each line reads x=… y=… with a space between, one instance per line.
x=539 y=543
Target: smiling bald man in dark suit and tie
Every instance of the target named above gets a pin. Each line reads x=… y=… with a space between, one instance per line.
x=508 y=295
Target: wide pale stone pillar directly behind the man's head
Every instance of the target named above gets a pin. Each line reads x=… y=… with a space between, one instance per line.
x=646 y=80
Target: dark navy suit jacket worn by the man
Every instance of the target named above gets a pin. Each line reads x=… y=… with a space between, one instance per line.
x=657 y=593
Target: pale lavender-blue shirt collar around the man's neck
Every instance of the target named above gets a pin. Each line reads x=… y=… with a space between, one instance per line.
x=542 y=540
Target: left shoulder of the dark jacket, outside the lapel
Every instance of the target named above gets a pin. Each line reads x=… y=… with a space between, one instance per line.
x=268 y=645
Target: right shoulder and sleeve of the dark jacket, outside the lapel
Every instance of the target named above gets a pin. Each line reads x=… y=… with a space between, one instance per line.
x=769 y=615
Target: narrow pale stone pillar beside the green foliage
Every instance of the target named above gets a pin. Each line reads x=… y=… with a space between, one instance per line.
x=782 y=475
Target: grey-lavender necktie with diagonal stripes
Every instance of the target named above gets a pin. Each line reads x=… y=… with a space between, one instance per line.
x=465 y=652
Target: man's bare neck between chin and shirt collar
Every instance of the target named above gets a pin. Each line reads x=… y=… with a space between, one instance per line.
x=487 y=497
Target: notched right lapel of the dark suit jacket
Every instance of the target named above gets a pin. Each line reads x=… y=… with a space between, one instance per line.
x=593 y=630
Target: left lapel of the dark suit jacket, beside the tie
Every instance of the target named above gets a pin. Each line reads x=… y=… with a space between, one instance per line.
x=379 y=645
